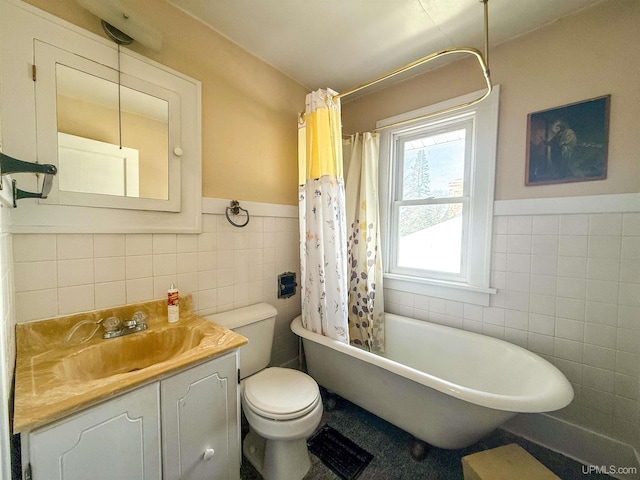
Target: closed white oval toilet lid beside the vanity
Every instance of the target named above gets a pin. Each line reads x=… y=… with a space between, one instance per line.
x=281 y=393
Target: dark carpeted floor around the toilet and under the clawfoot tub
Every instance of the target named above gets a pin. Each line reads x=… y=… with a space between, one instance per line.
x=391 y=449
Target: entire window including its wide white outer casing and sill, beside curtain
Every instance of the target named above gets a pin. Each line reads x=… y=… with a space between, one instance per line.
x=436 y=189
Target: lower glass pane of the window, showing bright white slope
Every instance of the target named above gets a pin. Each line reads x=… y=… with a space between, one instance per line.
x=430 y=237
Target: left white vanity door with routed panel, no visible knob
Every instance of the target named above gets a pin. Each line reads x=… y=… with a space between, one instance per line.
x=116 y=439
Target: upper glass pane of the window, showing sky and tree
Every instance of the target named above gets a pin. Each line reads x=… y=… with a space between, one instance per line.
x=433 y=166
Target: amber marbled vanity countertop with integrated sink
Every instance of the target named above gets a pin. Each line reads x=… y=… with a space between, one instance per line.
x=55 y=378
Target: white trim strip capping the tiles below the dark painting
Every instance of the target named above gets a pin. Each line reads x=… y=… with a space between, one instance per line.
x=614 y=203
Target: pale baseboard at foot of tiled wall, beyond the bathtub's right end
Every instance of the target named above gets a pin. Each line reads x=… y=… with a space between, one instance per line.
x=573 y=441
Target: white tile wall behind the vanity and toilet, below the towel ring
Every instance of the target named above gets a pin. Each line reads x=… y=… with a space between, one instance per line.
x=222 y=268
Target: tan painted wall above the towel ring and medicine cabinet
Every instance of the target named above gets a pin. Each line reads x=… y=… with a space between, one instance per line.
x=249 y=109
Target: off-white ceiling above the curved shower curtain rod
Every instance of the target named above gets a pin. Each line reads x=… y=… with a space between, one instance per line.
x=344 y=43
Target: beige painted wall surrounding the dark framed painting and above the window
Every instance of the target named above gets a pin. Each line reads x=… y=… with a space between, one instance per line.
x=584 y=56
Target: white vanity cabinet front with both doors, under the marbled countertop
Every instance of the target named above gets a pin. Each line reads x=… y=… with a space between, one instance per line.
x=185 y=426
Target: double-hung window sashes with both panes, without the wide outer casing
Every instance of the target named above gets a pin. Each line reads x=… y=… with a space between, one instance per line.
x=430 y=207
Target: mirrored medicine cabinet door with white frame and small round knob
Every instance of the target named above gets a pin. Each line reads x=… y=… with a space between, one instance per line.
x=112 y=130
